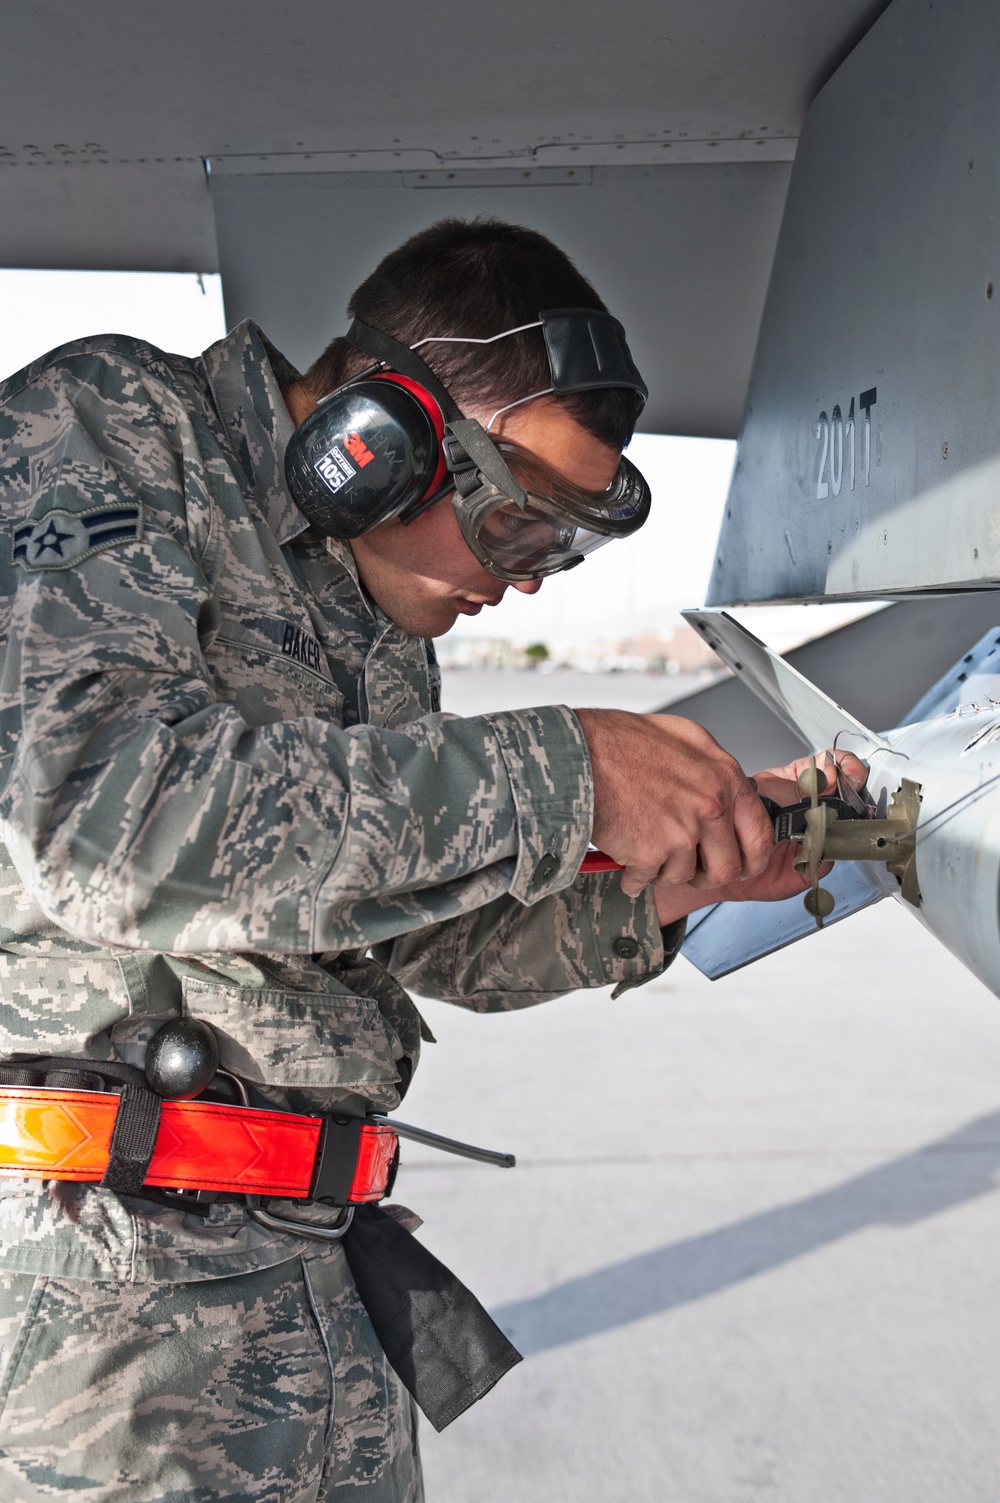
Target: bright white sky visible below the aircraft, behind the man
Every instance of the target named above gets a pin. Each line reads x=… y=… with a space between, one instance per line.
x=628 y=587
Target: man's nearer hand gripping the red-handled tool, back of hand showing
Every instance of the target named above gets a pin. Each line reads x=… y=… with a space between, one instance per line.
x=671 y=805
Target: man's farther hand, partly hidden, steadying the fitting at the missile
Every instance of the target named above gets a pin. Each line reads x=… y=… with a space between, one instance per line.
x=778 y=880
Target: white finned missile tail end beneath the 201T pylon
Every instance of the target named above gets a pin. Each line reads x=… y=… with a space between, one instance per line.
x=932 y=835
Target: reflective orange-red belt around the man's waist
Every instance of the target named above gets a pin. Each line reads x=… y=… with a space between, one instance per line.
x=201 y=1146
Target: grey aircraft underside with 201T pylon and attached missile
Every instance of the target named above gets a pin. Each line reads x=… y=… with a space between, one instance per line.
x=814 y=183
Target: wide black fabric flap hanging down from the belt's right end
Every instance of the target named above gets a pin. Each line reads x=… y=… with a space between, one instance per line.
x=437 y=1335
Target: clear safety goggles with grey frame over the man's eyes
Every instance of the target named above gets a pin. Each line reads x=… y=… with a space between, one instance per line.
x=544 y=524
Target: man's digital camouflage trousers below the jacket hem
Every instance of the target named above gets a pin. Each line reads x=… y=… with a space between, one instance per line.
x=268 y=1387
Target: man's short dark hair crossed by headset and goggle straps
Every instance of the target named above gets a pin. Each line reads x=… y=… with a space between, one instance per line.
x=476 y=277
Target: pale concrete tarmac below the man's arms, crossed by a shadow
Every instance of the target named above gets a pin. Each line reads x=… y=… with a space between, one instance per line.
x=750 y=1248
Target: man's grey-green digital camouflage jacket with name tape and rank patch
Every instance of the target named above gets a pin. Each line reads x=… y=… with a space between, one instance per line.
x=225 y=779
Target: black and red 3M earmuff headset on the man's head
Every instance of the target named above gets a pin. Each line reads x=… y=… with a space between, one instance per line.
x=392 y=441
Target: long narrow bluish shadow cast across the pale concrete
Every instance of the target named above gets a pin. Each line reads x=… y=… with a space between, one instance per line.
x=948 y=1173
